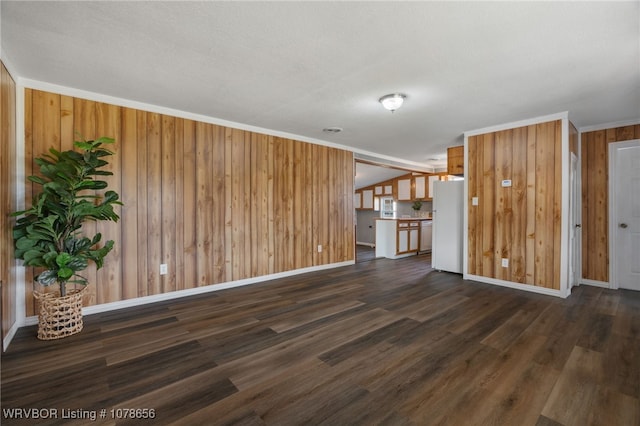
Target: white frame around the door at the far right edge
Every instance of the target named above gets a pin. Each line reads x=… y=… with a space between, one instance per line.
x=613 y=208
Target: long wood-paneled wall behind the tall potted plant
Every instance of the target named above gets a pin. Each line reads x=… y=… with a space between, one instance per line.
x=215 y=204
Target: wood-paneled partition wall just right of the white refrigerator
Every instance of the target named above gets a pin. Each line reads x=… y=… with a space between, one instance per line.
x=522 y=222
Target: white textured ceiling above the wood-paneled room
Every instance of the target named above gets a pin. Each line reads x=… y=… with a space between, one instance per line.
x=299 y=67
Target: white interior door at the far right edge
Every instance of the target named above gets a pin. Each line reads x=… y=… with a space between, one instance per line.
x=625 y=214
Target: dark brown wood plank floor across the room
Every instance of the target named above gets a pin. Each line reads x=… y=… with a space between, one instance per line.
x=381 y=342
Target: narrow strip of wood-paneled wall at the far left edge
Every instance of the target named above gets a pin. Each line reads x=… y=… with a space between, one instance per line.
x=7 y=199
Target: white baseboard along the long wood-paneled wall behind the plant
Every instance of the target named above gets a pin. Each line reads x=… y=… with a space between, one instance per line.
x=138 y=301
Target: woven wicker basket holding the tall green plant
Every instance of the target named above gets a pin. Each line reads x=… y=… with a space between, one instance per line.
x=59 y=317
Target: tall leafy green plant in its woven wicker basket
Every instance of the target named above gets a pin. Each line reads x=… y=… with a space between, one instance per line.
x=49 y=234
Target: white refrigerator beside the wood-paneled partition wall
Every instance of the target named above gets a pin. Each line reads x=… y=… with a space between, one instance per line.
x=448 y=205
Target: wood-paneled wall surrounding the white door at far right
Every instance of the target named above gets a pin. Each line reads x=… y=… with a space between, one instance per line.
x=595 y=198
